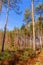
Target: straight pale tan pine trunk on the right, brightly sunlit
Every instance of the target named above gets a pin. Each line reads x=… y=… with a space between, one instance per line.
x=33 y=24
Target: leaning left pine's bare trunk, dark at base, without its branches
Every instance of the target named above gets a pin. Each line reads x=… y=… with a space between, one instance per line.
x=4 y=35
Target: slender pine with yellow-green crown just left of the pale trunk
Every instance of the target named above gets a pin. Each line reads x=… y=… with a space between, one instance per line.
x=27 y=18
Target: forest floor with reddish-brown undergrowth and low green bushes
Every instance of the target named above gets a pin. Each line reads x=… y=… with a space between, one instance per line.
x=26 y=57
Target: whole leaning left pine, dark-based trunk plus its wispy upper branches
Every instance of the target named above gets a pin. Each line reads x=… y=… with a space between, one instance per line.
x=9 y=4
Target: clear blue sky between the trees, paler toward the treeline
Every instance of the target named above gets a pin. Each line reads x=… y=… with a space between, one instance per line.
x=14 y=19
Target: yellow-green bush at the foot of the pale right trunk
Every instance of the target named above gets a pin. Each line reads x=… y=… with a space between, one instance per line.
x=28 y=53
